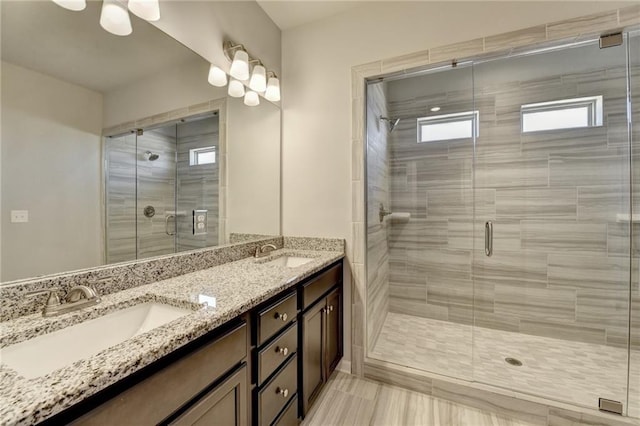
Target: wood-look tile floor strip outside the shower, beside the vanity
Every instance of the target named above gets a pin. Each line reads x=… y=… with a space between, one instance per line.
x=350 y=401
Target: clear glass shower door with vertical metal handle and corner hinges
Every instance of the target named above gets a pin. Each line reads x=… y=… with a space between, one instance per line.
x=552 y=196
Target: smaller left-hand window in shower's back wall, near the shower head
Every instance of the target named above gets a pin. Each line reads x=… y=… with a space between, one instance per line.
x=460 y=125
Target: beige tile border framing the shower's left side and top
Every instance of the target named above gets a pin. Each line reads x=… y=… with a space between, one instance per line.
x=573 y=28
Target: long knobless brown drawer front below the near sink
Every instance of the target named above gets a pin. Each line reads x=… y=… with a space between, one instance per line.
x=153 y=399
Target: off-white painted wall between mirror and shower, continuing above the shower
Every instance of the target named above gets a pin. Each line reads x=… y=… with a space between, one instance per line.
x=316 y=79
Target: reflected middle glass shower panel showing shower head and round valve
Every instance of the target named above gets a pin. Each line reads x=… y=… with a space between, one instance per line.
x=156 y=214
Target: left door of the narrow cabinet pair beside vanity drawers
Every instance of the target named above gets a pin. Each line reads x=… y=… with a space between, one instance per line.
x=313 y=353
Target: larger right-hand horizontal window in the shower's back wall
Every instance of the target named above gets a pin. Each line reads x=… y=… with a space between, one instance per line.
x=562 y=114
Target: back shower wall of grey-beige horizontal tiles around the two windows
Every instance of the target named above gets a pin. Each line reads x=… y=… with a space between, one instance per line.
x=560 y=266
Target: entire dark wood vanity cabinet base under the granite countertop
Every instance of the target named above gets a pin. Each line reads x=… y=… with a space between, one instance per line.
x=265 y=367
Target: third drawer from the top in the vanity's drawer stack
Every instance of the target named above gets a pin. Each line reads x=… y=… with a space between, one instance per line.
x=278 y=392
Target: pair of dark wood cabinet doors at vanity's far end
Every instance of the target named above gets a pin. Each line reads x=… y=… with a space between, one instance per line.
x=321 y=344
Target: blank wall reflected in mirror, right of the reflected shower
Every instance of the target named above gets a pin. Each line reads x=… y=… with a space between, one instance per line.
x=253 y=146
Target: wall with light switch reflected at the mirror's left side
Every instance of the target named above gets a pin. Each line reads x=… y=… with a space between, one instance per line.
x=51 y=150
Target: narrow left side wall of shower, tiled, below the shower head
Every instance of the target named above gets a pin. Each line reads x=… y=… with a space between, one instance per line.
x=377 y=194
